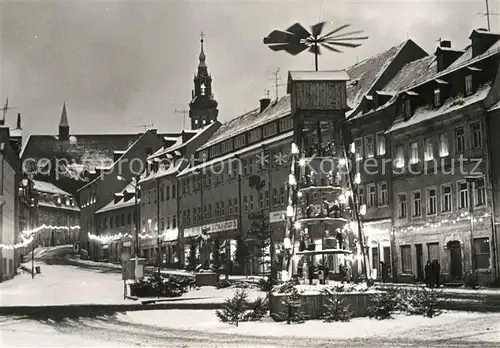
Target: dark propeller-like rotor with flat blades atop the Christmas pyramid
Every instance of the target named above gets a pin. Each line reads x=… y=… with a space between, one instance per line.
x=297 y=39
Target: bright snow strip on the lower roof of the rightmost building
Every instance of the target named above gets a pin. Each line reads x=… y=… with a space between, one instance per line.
x=428 y=112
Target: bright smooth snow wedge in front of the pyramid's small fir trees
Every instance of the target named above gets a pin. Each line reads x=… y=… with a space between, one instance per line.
x=450 y=325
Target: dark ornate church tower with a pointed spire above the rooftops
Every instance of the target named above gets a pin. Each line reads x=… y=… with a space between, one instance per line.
x=203 y=107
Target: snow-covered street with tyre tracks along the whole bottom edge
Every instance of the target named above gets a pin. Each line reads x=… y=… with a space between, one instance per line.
x=201 y=329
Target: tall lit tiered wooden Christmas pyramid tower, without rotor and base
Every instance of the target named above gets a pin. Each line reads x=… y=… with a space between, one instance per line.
x=321 y=205
